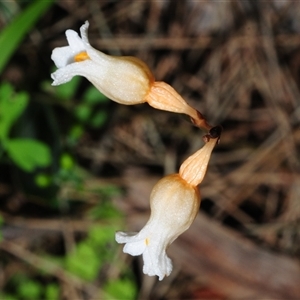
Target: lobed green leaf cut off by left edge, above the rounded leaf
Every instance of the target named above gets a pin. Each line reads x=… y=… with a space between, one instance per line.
x=11 y=107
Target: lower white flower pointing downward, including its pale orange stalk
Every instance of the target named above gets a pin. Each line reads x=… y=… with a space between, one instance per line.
x=174 y=204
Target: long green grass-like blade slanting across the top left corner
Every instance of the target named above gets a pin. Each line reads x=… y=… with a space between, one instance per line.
x=13 y=34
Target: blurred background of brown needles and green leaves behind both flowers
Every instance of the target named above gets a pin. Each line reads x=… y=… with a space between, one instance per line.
x=75 y=166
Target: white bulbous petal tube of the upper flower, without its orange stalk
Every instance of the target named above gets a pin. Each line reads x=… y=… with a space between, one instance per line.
x=124 y=79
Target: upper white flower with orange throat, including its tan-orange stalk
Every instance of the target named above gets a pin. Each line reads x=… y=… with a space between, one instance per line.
x=124 y=79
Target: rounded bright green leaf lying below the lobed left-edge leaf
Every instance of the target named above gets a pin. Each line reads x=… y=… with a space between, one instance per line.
x=28 y=154
